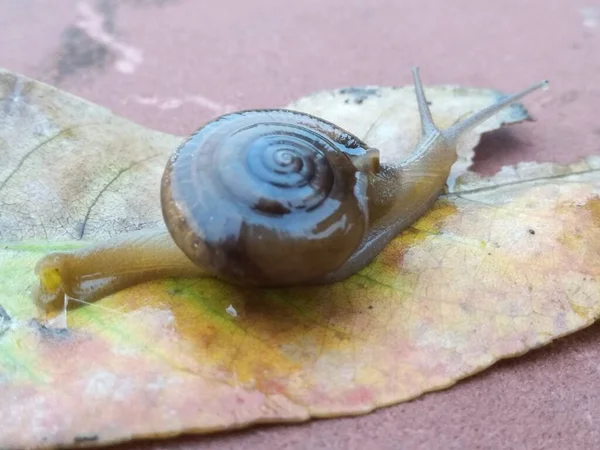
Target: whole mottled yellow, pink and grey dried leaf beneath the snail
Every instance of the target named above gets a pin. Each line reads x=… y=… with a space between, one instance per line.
x=497 y=267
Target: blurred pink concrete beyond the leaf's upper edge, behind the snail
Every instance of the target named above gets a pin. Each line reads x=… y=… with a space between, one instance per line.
x=173 y=64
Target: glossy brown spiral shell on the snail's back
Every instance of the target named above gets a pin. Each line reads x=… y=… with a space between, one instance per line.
x=267 y=196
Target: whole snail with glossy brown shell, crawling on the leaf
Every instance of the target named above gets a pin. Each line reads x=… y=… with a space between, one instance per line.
x=270 y=198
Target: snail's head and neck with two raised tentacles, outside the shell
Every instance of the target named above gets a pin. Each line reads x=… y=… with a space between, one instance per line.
x=399 y=195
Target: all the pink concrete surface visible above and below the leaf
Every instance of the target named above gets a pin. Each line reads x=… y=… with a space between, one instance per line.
x=172 y=65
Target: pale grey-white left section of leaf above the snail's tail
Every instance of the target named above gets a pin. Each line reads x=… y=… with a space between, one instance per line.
x=71 y=169
